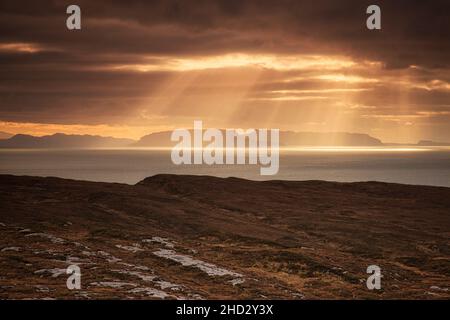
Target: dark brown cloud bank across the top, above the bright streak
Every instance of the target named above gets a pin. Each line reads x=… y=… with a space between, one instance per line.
x=412 y=32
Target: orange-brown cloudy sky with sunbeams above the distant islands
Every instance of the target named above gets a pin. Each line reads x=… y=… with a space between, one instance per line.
x=138 y=67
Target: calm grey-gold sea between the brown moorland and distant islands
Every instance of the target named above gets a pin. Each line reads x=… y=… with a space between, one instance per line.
x=425 y=166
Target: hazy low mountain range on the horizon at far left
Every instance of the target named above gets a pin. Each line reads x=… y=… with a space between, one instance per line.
x=60 y=140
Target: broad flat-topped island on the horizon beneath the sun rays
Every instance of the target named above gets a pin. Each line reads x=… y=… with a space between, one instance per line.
x=287 y=139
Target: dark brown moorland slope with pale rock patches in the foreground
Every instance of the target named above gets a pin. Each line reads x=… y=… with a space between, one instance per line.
x=204 y=237
